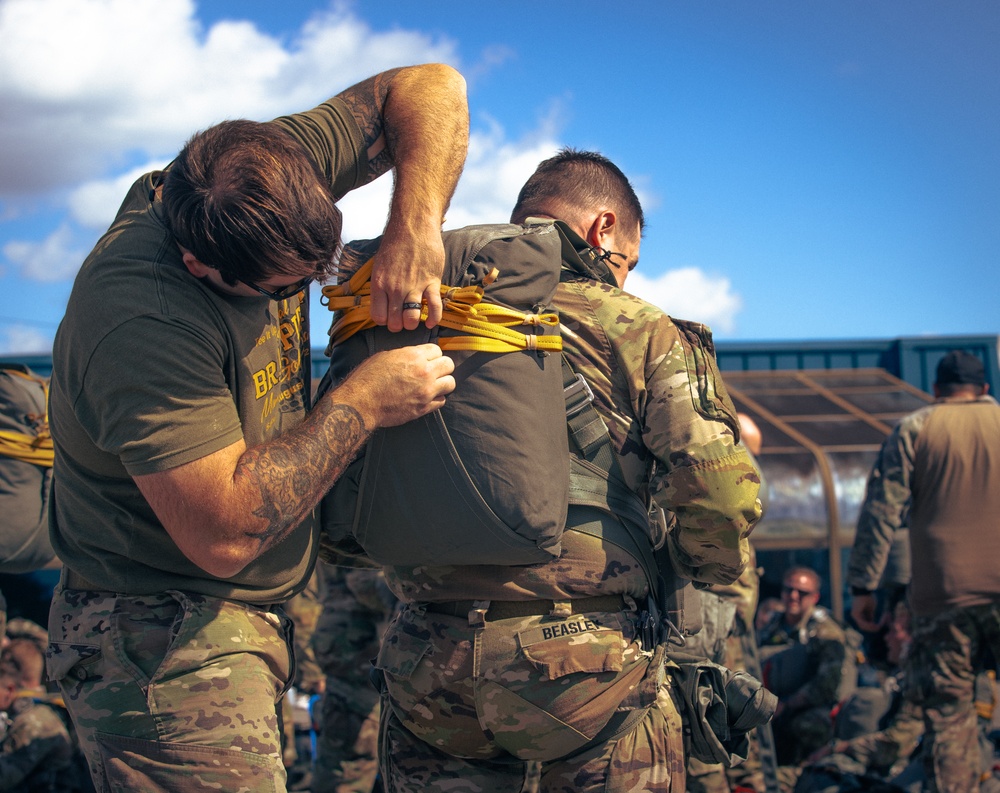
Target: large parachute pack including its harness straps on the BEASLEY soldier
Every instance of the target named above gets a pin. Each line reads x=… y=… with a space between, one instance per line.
x=485 y=480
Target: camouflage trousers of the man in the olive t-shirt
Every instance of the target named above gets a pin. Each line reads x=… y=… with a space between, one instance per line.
x=172 y=691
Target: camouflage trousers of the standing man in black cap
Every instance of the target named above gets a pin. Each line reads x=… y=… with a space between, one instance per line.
x=948 y=651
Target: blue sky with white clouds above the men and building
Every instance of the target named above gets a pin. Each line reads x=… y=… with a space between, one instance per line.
x=810 y=170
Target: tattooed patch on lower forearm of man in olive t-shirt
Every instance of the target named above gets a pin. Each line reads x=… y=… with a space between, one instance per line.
x=293 y=472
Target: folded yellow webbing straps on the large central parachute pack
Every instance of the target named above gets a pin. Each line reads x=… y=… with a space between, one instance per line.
x=488 y=327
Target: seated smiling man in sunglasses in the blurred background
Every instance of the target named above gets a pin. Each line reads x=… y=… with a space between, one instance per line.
x=807 y=663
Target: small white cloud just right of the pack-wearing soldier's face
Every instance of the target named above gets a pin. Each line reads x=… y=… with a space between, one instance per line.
x=690 y=293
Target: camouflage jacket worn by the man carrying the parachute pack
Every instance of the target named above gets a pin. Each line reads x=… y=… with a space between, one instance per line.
x=675 y=431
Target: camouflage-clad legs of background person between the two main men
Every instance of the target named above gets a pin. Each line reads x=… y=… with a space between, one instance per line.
x=357 y=606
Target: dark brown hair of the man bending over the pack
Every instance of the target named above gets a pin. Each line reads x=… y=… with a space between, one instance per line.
x=246 y=199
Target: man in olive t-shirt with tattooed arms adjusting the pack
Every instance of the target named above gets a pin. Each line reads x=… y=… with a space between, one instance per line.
x=186 y=469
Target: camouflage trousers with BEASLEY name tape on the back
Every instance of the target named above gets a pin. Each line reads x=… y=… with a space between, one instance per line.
x=474 y=708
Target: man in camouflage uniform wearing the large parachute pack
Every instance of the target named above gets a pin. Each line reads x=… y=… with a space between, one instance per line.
x=493 y=672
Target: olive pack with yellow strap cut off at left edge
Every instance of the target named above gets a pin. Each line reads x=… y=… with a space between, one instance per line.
x=25 y=470
